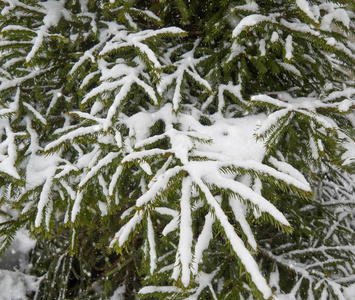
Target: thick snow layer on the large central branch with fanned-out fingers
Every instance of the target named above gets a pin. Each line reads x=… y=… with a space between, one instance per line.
x=231 y=143
